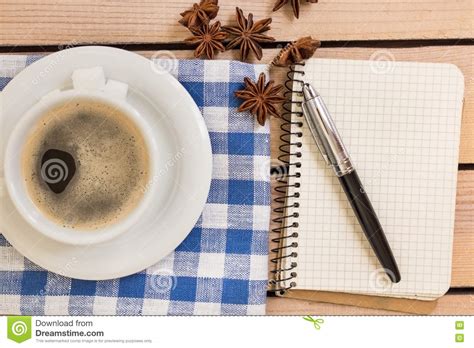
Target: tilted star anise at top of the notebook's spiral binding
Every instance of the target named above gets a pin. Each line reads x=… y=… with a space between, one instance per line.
x=296 y=51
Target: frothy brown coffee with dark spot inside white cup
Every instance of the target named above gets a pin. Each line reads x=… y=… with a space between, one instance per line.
x=85 y=164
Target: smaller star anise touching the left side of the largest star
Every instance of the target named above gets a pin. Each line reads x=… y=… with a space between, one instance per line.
x=208 y=38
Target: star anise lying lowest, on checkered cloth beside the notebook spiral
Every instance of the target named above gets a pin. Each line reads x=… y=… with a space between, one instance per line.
x=260 y=98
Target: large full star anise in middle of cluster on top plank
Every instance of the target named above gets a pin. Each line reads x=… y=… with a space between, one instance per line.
x=248 y=34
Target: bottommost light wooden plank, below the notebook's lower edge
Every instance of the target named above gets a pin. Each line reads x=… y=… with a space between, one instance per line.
x=459 y=304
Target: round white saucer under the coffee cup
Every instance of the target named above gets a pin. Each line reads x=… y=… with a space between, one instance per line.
x=185 y=165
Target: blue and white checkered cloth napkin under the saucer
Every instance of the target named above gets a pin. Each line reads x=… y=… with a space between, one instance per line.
x=221 y=267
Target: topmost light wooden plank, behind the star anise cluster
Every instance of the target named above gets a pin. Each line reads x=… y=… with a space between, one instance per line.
x=52 y=22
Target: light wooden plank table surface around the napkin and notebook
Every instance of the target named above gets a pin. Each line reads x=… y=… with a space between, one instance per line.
x=419 y=30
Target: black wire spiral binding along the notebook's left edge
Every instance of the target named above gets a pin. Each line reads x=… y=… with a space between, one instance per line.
x=284 y=276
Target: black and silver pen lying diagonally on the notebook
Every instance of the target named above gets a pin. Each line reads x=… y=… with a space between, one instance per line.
x=334 y=152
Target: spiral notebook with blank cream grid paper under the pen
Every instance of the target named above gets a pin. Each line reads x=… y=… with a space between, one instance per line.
x=401 y=124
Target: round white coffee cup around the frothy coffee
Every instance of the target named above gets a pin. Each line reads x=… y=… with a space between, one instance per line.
x=16 y=185
